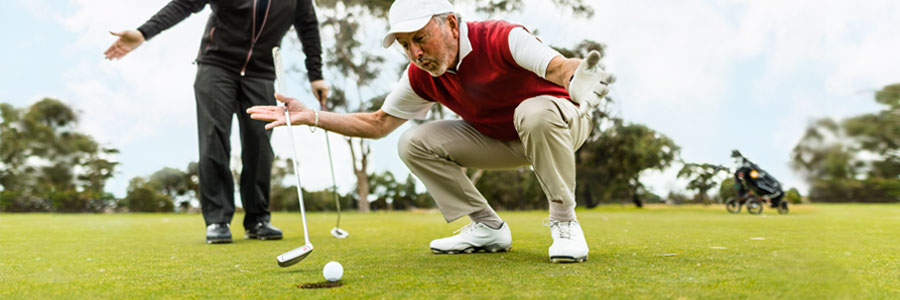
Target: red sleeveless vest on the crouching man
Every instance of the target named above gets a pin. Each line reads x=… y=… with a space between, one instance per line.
x=489 y=84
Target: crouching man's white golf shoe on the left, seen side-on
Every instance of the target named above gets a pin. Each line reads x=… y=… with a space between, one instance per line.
x=475 y=237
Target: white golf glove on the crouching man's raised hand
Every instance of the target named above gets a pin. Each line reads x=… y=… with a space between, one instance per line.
x=590 y=83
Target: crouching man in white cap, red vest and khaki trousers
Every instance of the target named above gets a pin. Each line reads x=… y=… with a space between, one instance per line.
x=515 y=97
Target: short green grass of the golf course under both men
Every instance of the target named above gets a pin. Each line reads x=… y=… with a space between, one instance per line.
x=662 y=252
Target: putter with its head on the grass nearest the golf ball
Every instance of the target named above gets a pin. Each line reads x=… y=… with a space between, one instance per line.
x=294 y=256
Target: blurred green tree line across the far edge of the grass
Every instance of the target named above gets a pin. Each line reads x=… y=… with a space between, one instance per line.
x=47 y=165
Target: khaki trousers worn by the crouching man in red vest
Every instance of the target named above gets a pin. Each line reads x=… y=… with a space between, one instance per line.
x=550 y=130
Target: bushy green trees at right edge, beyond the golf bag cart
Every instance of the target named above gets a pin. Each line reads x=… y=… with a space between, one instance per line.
x=854 y=159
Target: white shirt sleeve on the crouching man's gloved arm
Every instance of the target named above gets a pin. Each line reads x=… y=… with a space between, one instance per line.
x=529 y=52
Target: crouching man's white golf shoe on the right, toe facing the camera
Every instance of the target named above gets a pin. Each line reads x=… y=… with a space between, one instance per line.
x=568 y=242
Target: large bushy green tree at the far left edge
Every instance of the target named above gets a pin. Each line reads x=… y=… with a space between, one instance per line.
x=47 y=164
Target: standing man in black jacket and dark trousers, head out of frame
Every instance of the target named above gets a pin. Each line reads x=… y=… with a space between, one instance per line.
x=235 y=71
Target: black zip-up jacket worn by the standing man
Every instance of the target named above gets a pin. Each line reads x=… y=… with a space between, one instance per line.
x=232 y=39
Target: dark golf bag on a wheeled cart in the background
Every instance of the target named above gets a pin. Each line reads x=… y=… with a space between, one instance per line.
x=754 y=187
